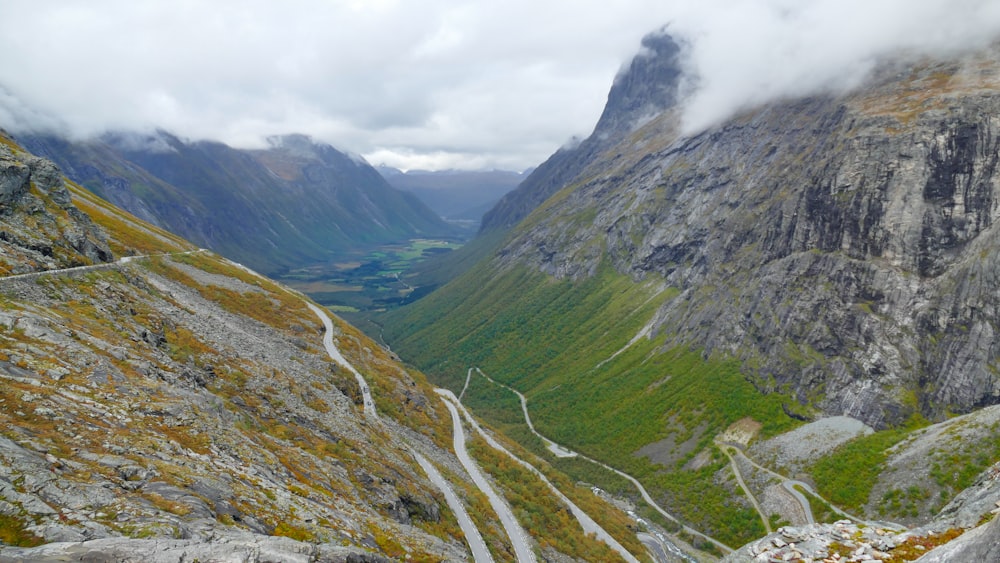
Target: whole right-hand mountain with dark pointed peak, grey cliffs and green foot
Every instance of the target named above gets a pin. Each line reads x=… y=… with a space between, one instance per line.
x=652 y=293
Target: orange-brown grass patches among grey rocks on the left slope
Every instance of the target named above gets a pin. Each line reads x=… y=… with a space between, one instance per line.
x=246 y=389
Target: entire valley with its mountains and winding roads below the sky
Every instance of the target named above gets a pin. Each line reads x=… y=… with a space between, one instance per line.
x=775 y=337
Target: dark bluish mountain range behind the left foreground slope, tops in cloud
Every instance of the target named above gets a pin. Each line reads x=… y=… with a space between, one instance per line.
x=293 y=204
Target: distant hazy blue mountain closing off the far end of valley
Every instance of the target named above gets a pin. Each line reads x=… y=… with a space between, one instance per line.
x=457 y=195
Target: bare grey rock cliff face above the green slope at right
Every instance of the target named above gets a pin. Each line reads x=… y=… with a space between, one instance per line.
x=845 y=247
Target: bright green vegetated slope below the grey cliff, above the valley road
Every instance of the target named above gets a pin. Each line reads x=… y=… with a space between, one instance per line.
x=548 y=339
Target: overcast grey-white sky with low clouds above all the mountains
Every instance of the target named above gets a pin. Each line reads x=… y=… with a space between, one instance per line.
x=430 y=83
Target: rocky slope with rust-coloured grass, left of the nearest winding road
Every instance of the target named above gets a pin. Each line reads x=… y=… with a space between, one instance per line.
x=131 y=407
